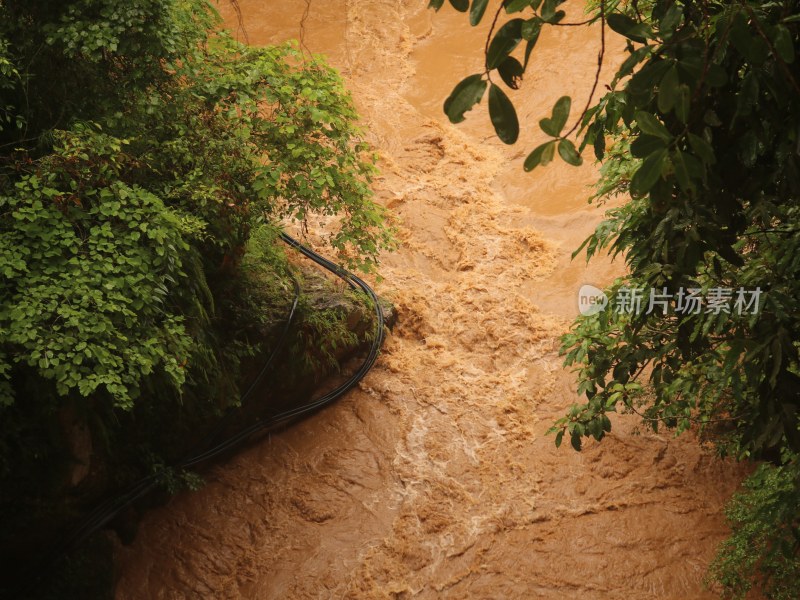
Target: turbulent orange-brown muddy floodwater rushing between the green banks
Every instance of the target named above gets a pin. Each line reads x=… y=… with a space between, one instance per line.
x=435 y=479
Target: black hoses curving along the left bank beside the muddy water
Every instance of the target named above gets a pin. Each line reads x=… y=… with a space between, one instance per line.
x=106 y=511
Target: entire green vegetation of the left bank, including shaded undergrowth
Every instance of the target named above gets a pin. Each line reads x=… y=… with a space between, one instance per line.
x=146 y=163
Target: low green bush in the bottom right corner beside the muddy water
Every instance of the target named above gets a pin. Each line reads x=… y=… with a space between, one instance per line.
x=763 y=546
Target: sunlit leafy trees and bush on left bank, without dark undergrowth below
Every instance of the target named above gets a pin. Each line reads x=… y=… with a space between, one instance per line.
x=99 y=230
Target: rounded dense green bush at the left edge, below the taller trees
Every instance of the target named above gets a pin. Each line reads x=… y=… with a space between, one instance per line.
x=87 y=262
